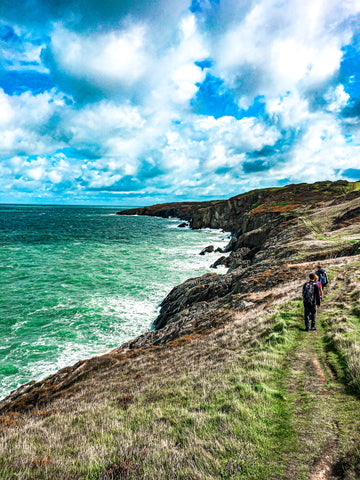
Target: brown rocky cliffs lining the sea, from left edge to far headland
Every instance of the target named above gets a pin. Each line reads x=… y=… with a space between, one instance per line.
x=280 y=235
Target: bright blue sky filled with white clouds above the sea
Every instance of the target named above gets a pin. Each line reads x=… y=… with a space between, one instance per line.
x=136 y=102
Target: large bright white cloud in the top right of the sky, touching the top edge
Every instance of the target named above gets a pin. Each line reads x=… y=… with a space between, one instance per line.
x=290 y=45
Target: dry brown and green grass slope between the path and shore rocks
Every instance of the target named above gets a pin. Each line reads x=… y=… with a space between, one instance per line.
x=154 y=407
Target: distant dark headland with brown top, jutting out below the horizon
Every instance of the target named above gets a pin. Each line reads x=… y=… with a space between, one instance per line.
x=252 y=210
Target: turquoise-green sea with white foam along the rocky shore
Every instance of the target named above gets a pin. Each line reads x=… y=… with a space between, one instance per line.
x=78 y=281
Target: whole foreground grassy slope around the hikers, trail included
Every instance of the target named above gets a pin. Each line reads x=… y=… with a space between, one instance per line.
x=241 y=402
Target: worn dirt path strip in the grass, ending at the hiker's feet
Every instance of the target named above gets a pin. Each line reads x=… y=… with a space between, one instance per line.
x=313 y=391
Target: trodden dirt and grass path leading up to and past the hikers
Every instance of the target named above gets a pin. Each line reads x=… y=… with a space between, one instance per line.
x=317 y=398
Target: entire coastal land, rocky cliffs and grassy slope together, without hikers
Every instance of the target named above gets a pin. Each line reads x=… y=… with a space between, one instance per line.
x=228 y=384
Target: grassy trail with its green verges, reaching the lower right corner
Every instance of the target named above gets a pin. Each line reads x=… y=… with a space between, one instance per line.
x=321 y=441
